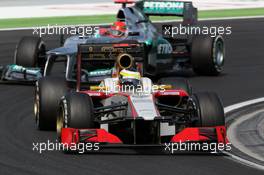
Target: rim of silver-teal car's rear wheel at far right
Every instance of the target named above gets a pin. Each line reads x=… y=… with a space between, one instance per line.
x=219 y=53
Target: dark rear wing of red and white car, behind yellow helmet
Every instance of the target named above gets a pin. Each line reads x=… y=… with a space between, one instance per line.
x=107 y=55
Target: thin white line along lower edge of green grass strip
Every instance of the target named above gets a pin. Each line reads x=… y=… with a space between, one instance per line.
x=203 y=19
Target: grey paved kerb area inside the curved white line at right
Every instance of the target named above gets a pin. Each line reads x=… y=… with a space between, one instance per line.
x=246 y=132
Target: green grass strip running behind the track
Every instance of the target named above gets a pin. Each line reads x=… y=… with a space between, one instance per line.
x=98 y=19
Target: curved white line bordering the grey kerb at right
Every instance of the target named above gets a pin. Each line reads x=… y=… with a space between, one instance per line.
x=239 y=106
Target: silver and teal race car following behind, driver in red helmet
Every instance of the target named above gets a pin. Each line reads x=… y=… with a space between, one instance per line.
x=134 y=34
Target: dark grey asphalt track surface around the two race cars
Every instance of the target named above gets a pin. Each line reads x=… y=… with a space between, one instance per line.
x=242 y=80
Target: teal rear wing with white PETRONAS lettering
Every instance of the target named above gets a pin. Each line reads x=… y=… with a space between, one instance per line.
x=169 y=8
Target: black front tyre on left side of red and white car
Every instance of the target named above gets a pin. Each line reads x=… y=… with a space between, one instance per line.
x=75 y=111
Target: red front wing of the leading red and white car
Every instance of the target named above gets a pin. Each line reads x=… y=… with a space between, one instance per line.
x=70 y=136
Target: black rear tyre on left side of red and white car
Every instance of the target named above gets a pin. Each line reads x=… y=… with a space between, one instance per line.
x=48 y=92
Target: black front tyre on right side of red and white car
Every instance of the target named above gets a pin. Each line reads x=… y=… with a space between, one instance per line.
x=209 y=109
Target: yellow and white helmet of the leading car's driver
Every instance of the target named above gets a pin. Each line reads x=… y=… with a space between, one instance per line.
x=129 y=78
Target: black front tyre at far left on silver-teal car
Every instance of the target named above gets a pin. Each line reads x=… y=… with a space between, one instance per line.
x=30 y=52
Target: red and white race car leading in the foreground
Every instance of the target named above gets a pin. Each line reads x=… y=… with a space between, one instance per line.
x=140 y=113
